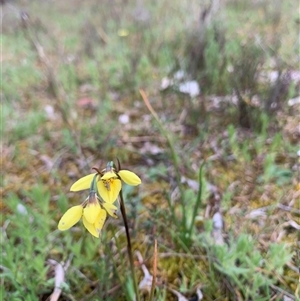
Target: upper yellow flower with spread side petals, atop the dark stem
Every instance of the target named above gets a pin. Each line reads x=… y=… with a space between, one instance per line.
x=108 y=182
